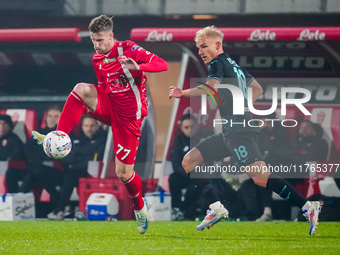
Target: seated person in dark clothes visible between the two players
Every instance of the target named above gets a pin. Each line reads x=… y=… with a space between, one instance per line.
x=190 y=136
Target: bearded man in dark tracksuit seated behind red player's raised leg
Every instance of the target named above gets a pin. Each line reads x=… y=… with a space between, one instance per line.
x=89 y=145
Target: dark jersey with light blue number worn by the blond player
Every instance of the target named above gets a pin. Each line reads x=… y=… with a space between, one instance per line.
x=224 y=69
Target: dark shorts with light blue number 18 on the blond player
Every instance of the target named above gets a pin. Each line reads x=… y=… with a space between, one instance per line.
x=241 y=146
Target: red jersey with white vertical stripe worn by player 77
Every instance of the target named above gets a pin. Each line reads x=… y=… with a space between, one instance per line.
x=126 y=89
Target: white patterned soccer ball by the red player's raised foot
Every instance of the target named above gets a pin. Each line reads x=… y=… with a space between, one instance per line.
x=57 y=144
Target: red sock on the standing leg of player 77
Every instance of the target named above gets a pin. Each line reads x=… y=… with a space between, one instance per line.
x=134 y=188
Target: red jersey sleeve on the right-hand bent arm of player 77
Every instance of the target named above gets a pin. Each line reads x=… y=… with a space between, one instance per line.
x=147 y=61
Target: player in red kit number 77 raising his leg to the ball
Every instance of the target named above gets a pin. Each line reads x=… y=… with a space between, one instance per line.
x=118 y=101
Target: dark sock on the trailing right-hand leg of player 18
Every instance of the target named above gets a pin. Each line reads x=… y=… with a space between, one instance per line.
x=281 y=187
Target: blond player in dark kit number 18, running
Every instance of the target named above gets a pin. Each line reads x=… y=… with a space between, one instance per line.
x=236 y=140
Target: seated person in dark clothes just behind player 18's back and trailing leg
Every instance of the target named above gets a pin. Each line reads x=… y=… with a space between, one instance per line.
x=272 y=139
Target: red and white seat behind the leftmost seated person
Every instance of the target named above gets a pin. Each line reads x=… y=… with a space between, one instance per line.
x=24 y=120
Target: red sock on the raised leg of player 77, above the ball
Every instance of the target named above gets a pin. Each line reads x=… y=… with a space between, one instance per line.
x=71 y=113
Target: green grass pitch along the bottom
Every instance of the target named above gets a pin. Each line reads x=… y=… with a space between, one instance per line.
x=121 y=237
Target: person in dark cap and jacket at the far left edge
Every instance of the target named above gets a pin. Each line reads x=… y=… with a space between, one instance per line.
x=11 y=146
